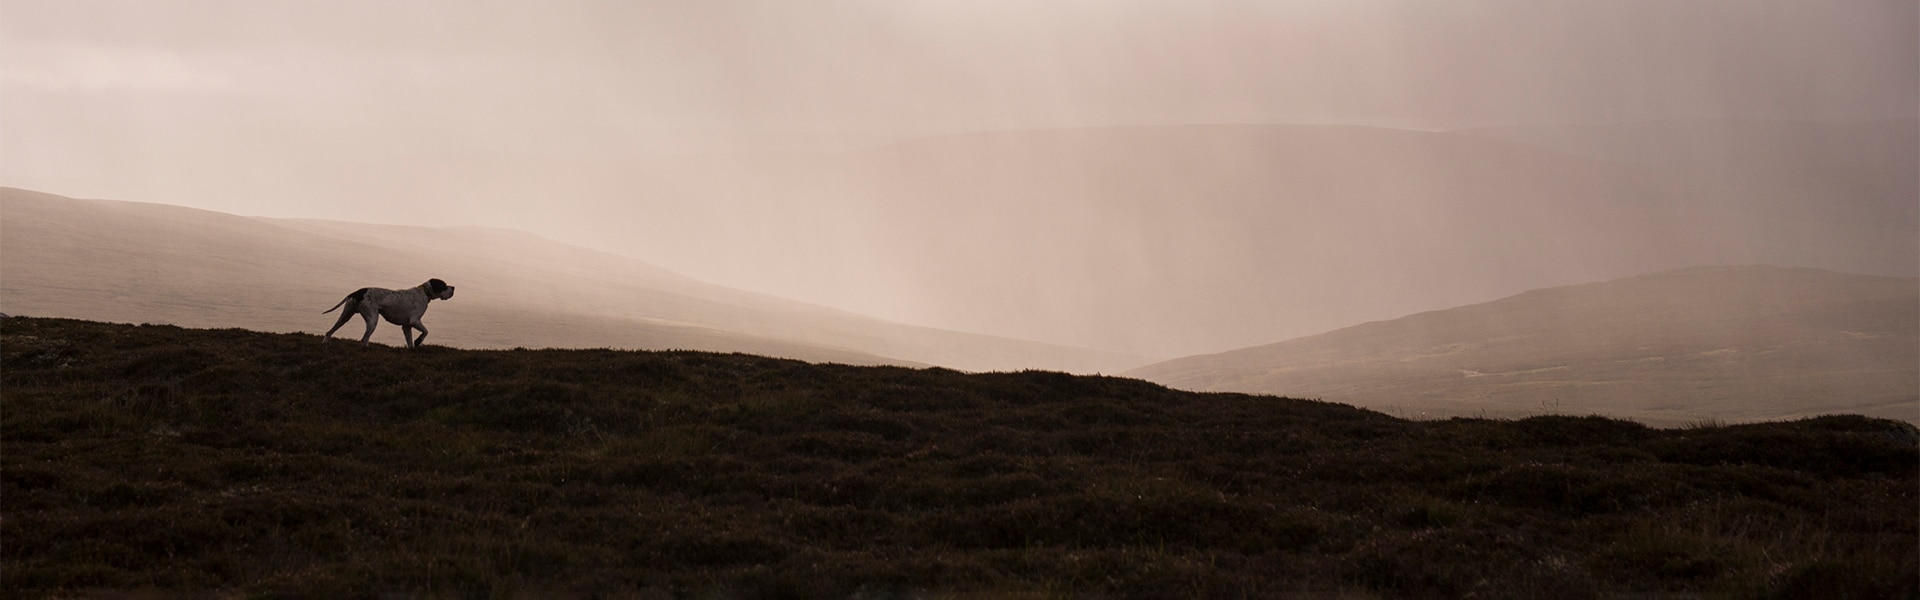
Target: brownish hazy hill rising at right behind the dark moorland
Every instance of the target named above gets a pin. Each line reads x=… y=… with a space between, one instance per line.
x=1673 y=347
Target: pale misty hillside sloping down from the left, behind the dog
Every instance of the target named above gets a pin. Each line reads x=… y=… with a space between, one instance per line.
x=168 y=264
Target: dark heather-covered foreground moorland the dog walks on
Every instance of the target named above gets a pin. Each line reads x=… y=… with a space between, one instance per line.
x=247 y=464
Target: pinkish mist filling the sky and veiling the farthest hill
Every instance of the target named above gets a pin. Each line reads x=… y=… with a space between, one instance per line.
x=1141 y=178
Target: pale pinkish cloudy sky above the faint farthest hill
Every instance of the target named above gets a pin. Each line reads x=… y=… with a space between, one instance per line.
x=358 y=111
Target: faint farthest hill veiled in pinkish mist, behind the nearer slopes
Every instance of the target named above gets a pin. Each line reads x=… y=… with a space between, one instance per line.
x=1212 y=237
